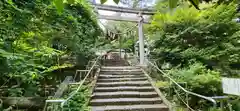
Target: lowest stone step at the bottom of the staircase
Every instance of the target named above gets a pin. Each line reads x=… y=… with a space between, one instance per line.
x=141 y=107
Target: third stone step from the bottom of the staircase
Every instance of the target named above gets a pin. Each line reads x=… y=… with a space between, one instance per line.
x=124 y=94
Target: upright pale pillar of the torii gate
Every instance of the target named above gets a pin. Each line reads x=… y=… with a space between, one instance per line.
x=141 y=40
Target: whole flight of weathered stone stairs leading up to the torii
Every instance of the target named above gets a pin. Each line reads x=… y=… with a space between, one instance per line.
x=125 y=88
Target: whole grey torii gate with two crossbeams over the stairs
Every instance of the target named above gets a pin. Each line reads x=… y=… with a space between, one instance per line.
x=140 y=20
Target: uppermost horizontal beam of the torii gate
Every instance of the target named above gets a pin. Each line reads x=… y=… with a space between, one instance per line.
x=125 y=9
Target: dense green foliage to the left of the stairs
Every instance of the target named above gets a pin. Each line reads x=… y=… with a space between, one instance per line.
x=34 y=39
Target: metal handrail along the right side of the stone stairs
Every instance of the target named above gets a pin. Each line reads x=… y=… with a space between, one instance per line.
x=186 y=91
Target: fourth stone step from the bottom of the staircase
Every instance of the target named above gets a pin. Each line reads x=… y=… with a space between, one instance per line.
x=124 y=88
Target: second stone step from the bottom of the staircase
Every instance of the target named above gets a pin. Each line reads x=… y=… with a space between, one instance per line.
x=125 y=101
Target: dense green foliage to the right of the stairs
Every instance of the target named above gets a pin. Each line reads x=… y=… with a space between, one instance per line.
x=198 y=46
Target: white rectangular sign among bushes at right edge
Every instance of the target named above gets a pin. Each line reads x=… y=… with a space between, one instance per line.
x=231 y=86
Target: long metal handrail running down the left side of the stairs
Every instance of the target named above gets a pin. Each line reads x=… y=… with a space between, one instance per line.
x=63 y=101
